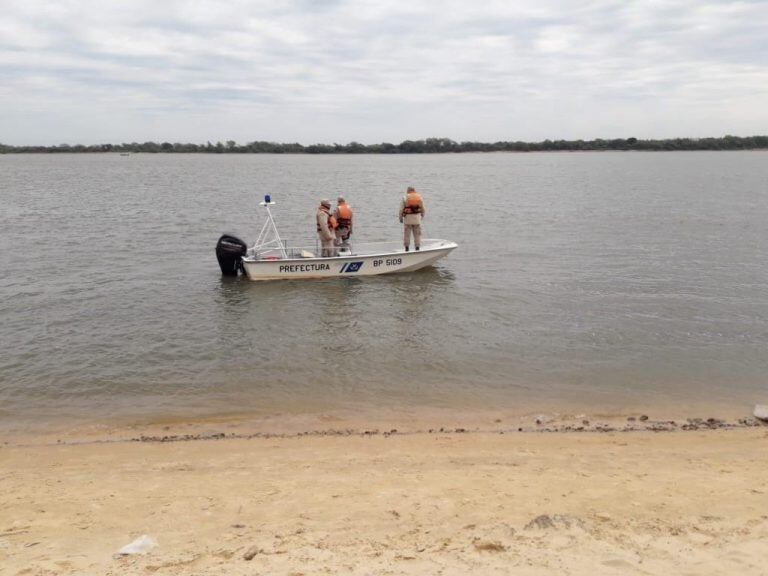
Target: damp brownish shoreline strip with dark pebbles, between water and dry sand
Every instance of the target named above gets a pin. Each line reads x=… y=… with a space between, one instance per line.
x=293 y=426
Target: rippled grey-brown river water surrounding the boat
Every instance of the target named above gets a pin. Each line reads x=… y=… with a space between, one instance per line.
x=586 y=280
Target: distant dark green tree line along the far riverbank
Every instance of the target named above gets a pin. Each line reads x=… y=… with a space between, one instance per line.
x=430 y=145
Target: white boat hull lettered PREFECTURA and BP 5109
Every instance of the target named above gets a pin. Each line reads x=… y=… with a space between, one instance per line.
x=347 y=266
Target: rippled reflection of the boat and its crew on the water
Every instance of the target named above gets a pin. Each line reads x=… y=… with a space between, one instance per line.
x=328 y=319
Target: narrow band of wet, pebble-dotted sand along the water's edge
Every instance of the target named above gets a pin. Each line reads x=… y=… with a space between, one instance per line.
x=373 y=421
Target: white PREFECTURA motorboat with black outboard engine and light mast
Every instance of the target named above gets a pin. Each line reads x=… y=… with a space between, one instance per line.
x=271 y=258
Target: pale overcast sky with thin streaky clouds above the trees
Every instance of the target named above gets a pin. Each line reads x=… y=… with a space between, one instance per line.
x=81 y=71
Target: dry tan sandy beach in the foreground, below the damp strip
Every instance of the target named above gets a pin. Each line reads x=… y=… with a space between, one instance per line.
x=638 y=502
